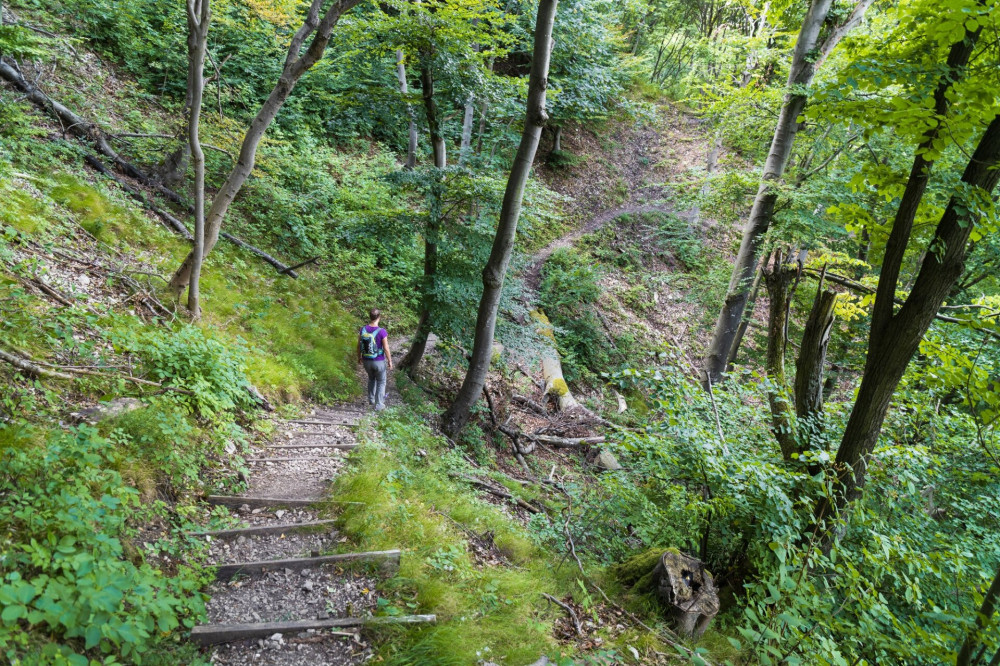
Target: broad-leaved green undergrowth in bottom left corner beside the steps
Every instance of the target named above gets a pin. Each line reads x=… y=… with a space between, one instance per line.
x=66 y=572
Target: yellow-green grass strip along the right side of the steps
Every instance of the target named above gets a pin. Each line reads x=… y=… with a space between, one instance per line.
x=401 y=477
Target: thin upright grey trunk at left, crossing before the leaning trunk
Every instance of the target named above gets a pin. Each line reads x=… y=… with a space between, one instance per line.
x=198 y=16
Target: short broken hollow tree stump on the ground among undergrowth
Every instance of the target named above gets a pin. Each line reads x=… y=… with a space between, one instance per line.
x=688 y=590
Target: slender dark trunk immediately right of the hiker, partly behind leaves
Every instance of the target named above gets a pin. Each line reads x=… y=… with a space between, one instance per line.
x=432 y=230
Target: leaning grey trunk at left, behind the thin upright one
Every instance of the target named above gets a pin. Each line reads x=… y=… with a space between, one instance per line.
x=296 y=64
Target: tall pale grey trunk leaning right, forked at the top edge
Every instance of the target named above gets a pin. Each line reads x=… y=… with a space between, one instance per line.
x=800 y=76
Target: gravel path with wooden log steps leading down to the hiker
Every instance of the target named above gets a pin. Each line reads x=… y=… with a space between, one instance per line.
x=283 y=595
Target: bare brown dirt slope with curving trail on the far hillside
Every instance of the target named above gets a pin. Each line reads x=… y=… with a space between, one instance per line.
x=644 y=160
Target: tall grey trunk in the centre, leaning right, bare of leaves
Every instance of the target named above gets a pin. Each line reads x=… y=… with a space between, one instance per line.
x=503 y=243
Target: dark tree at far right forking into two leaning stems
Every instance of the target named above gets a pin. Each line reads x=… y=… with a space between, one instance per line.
x=895 y=334
